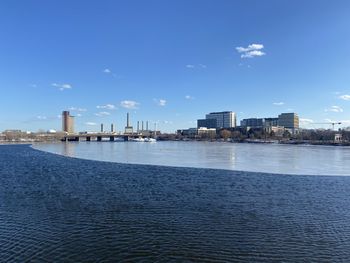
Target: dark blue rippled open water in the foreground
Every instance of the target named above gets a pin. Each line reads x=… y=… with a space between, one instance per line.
x=59 y=209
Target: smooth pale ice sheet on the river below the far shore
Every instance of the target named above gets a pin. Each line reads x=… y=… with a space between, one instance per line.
x=269 y=158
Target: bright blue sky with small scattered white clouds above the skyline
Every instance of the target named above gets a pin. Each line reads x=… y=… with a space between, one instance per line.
x=172 y=61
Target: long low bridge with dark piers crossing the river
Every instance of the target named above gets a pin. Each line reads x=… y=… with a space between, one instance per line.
x=99 y=137
